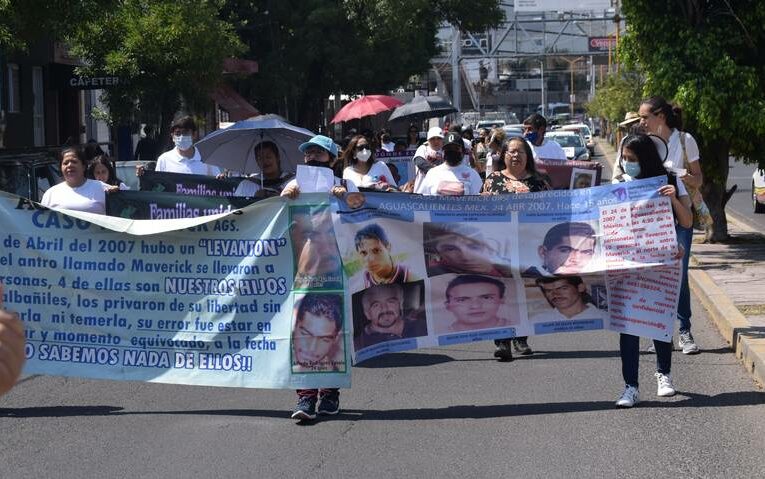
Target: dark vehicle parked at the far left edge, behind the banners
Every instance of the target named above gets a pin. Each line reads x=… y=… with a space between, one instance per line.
x=29 y=173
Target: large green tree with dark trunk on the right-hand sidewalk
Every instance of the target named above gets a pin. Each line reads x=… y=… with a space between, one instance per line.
x=707 y=55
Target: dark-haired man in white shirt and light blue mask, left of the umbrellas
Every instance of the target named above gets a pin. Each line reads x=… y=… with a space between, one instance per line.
x=184 y=158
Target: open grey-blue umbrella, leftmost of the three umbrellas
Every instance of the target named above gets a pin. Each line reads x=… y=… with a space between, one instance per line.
x=233 y=147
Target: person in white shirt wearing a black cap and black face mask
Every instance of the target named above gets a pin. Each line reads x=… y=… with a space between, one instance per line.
x=453 y=177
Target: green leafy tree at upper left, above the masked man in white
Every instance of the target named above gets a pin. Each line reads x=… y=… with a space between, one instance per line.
x=163 y=52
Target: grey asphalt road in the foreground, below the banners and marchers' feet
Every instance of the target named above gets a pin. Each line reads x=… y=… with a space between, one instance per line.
x=446 y=412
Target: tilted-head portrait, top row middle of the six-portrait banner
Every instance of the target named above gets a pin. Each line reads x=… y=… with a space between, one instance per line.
x=479 y=248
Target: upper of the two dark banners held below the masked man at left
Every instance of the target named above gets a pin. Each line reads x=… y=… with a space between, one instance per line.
x=192 y=185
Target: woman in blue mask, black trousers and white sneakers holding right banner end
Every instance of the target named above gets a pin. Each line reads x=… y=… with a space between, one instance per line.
x=640 y=159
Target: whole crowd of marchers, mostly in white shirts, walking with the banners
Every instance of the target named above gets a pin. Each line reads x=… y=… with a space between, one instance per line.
x=453 y=162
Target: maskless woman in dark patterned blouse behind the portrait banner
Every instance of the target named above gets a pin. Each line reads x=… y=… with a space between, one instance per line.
x=514 y=173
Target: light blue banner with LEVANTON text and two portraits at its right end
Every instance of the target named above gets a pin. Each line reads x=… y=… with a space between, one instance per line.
x=252 y=298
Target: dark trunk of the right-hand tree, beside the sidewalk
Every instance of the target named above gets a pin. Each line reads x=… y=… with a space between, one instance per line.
x=715 y=166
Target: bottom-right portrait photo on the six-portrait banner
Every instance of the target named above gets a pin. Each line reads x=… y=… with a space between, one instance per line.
x=565 y=298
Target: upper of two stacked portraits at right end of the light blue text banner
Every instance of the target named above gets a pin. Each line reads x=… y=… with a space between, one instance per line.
x=317 y=260
